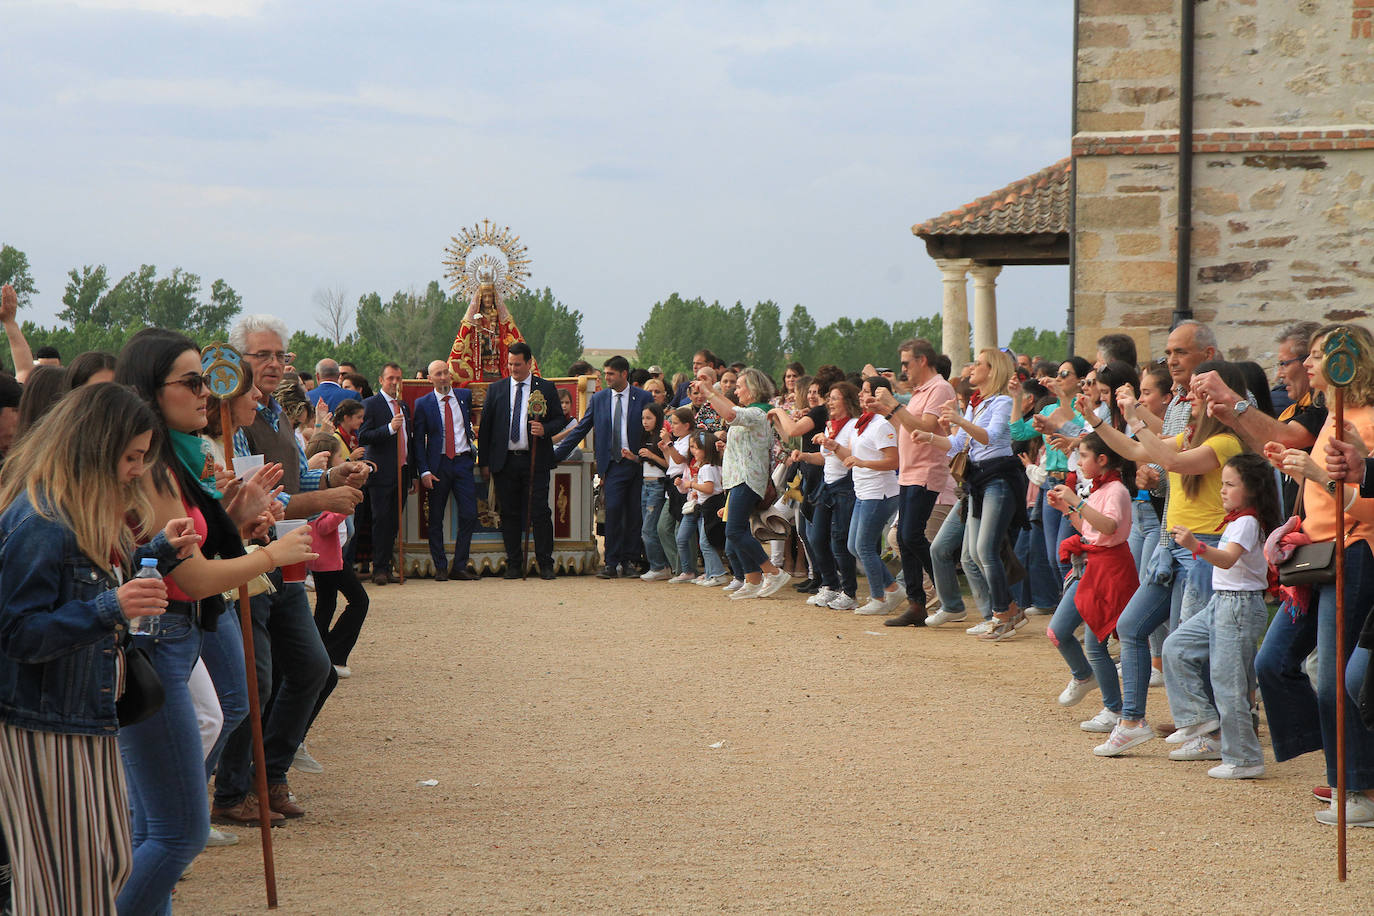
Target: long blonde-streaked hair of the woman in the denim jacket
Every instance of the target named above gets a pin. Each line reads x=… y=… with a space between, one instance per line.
x=68 y=466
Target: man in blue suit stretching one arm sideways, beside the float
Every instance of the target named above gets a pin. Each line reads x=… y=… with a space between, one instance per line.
x=616 y=414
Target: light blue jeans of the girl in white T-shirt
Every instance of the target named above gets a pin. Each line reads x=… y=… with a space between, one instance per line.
x=1210 y=671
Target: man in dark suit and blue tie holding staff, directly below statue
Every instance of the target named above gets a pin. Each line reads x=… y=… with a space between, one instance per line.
x=504 y=451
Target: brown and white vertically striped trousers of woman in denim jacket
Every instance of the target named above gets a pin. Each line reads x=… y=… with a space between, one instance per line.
x=65 y=819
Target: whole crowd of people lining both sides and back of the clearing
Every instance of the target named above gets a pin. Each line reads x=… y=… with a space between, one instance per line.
x=1134 y=505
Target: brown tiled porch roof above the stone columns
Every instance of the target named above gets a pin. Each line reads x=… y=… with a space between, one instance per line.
x=1031 y=207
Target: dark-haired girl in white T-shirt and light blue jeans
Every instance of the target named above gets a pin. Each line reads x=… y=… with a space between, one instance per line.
x=1210 y=660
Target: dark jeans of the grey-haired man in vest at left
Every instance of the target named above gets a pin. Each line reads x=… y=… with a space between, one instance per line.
x=286 y=645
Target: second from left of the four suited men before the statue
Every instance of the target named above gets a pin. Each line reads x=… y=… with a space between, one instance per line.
x=444 y=451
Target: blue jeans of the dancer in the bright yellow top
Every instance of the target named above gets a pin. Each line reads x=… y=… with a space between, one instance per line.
x=1180 y=586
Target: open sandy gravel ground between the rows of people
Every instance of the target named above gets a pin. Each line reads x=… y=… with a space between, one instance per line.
x=571 y=729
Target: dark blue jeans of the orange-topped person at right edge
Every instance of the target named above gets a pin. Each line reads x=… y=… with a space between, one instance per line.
x=1291 y=705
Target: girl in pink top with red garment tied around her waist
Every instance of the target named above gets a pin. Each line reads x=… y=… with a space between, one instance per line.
x=1108 y=580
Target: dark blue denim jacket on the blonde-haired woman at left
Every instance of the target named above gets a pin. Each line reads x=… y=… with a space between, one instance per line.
x=60 y=626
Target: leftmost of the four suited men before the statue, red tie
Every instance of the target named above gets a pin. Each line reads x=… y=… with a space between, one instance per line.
x=387 y=436
